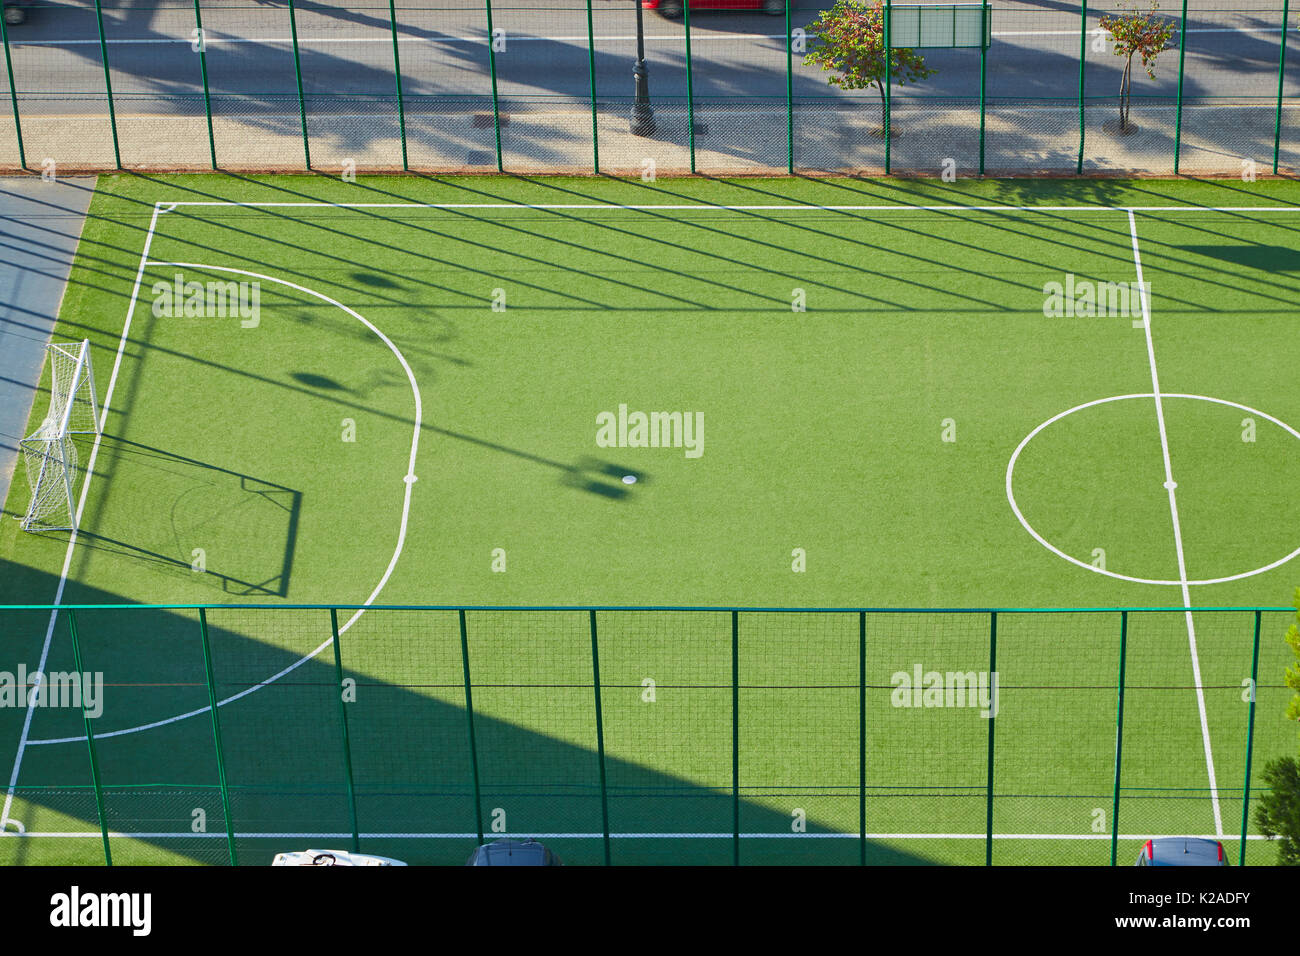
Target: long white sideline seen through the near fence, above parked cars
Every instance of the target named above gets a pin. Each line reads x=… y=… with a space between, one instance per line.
x=222 y=836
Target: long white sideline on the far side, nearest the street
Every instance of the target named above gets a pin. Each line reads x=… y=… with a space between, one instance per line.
x=803 y=207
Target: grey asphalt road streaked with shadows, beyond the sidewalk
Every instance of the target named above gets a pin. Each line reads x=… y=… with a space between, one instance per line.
x=348 y=49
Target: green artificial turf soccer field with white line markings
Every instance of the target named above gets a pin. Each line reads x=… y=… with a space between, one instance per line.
x=584 y=393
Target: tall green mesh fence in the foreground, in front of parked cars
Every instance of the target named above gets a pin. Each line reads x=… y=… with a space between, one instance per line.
x=656 y=736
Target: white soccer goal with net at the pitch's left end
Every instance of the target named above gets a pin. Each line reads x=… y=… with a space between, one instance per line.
x=50 y=453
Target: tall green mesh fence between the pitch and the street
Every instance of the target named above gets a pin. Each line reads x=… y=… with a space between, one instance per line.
x=505 y=85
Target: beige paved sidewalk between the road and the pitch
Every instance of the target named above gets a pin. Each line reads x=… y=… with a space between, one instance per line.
x=830 y=137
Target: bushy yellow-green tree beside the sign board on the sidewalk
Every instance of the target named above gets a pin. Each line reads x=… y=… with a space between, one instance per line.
x=851 y=45
